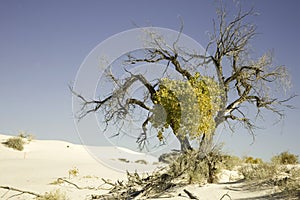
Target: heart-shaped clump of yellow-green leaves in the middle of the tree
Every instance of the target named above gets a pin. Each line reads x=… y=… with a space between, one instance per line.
x=190 y=106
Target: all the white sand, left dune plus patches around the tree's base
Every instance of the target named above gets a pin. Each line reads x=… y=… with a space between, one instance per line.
x=42 y=162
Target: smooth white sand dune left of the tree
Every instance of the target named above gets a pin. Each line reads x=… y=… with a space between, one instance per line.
x=42 y=162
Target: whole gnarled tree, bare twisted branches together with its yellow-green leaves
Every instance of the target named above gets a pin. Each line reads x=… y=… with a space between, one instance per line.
x=239 y=81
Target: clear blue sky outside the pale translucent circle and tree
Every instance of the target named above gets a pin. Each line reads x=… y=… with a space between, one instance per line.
x=43 y=43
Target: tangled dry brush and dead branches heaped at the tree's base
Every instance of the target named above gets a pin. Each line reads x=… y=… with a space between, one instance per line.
x=189 y=167
